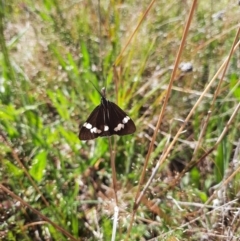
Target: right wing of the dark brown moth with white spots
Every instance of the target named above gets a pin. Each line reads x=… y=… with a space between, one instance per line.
x=119 y=122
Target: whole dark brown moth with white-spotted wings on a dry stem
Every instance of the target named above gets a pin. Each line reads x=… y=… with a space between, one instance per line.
x=106 y=119
